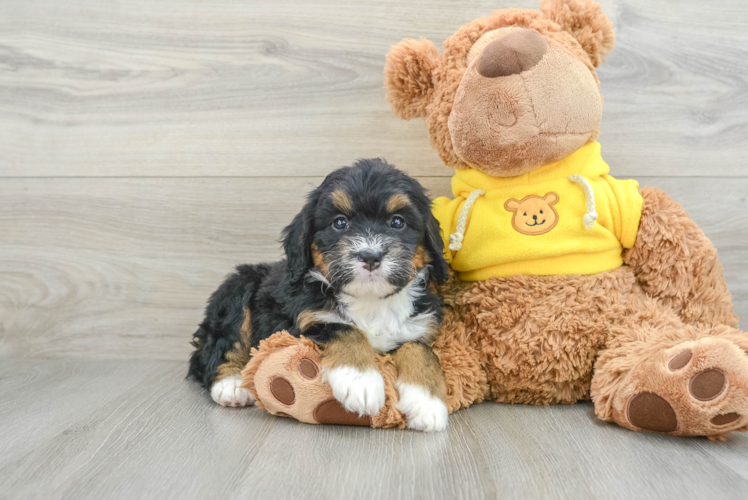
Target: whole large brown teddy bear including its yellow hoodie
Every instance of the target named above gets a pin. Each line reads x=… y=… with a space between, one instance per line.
x=567 y=284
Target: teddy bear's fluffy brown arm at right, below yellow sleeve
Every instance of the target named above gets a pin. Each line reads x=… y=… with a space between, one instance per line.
x=674 y=261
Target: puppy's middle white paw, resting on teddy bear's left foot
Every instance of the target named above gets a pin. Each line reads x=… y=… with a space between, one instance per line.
x=359 y=391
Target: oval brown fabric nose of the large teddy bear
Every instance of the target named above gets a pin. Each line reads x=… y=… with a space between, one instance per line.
x=512 y=54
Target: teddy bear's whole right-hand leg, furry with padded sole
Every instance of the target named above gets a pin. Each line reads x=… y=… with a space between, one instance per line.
x=660 y=375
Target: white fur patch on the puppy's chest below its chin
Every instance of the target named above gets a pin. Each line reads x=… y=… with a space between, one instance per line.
x=389 y=323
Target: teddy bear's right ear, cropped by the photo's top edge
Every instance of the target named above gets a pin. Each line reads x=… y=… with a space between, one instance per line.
x=585 y=21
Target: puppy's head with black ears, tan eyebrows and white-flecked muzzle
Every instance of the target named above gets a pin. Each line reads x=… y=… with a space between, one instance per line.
x=368 y=230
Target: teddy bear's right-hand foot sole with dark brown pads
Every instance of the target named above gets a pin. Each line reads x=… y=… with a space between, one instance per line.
x=700 y=389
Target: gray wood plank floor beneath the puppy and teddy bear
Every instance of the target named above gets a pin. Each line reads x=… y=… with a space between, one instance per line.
x=137 y=429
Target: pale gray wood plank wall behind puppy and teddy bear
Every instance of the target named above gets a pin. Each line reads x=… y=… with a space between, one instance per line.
x=148 y=147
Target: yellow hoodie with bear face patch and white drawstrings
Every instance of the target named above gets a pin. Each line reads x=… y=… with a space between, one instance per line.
x=569 y=217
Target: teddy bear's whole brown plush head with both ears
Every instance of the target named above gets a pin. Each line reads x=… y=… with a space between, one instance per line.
x=512 y=91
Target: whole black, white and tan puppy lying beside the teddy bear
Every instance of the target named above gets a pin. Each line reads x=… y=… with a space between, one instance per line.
x=363 y=259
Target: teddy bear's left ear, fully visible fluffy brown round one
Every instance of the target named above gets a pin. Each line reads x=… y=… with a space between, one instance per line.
x=408 y=77
